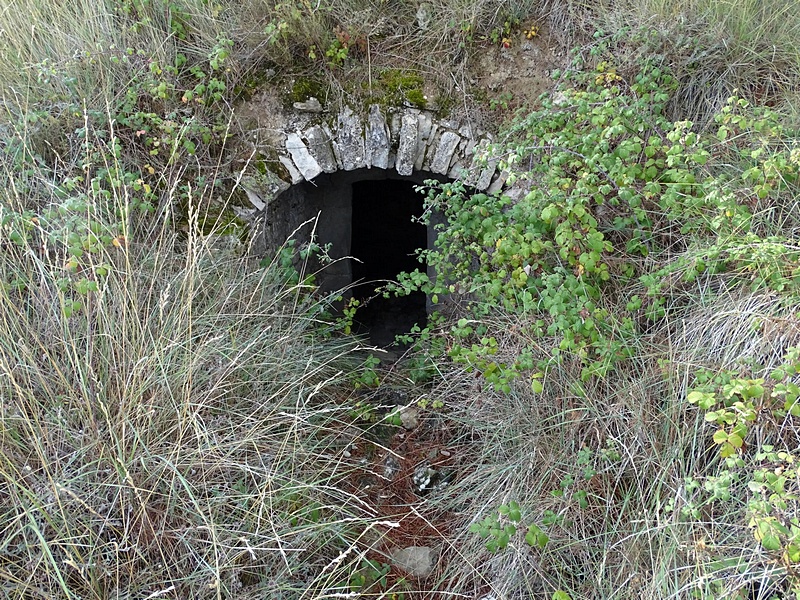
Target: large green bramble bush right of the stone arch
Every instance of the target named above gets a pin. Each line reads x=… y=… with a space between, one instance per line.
x=623 y=207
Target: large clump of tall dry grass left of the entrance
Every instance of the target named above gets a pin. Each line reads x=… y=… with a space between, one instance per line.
x=178 y=435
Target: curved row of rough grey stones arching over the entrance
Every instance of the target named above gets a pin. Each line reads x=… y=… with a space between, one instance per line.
x=398 y=143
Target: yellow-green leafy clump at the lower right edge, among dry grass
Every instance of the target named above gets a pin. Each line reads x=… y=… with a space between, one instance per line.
x=763 y=484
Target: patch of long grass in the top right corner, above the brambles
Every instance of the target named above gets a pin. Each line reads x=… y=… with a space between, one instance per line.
x=715 y=48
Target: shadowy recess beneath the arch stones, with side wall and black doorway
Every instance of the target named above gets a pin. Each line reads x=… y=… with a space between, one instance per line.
x=366 y=216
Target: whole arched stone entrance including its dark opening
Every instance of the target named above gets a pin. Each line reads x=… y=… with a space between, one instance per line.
x=350 y=180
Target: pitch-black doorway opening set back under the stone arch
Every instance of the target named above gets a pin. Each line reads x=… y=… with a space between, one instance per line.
x=385 y=241
